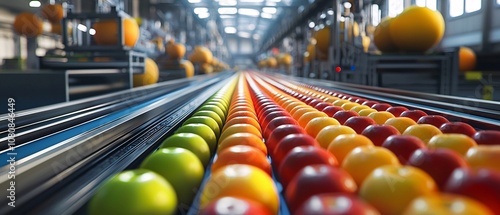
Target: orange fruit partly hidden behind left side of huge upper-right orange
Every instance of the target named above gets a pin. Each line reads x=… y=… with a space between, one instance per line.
x=382 y=36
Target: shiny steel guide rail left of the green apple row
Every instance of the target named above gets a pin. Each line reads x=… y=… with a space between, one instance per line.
x=60 y=179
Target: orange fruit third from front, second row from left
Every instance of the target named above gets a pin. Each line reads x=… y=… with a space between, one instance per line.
x=248 y=139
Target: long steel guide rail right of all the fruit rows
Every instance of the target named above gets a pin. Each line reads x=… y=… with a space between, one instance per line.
x=481 y=114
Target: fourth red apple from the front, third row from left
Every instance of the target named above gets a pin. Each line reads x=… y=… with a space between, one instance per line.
x=288 y=143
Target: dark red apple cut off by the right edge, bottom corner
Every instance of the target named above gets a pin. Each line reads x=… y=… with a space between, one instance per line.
x=482 y=185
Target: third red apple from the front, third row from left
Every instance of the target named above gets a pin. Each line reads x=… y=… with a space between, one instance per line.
x=300 y=157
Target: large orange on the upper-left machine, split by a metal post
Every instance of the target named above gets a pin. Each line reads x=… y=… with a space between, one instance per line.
x=107 y=32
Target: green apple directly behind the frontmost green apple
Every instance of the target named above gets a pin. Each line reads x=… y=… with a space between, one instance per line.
x=181 y=168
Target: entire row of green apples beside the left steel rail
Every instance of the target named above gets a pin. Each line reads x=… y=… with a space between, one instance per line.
x=168 y=180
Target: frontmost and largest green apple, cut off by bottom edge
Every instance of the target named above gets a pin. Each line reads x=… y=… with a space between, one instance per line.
x=137 y=191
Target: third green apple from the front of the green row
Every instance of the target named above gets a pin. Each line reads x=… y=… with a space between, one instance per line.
x=192 y=142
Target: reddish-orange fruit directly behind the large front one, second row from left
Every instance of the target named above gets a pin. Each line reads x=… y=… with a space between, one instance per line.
x=242 y=154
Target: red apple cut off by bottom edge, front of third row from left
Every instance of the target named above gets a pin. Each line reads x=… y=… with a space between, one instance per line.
x=335 y=204
